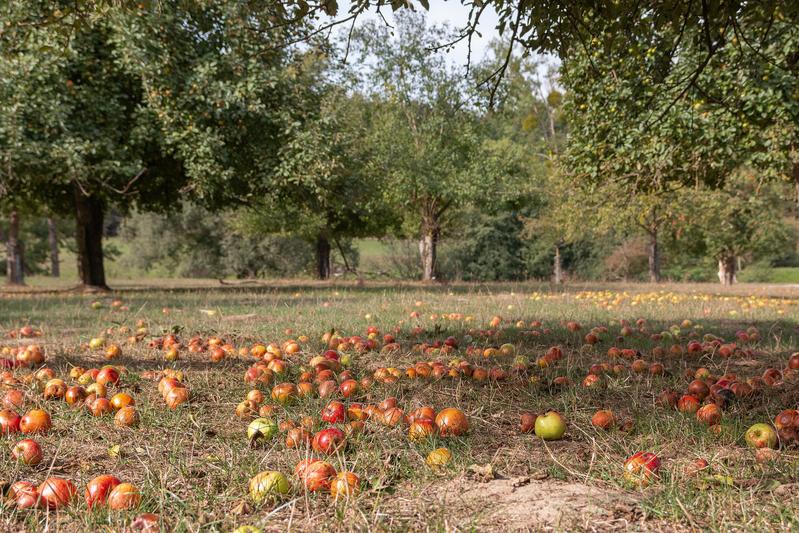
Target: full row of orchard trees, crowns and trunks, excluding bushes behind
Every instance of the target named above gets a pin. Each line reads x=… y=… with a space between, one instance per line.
x=678 y=131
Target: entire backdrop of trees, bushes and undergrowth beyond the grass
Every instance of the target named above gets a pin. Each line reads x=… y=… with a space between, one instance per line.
x=173 y=143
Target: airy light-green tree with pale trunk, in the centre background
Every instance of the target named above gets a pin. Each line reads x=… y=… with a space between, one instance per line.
x=427 y=142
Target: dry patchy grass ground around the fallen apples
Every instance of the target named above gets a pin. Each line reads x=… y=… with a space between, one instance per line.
x=193 y=463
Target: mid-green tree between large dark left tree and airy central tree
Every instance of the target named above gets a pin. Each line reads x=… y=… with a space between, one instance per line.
x=322 y=189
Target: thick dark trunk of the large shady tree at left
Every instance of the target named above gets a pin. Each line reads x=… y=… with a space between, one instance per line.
x=89 y=213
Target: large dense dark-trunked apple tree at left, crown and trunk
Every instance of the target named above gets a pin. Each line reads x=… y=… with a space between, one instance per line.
x=134 y=107
